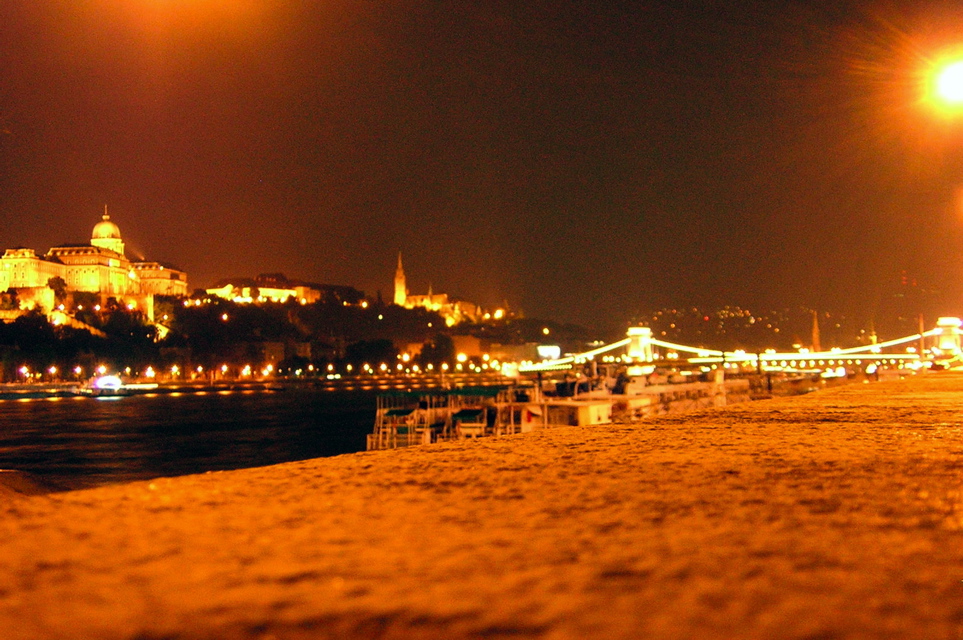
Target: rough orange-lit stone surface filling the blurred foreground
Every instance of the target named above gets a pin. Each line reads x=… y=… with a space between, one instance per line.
x=834 y=515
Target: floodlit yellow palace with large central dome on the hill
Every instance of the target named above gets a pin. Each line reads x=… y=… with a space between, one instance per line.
x=99 y=267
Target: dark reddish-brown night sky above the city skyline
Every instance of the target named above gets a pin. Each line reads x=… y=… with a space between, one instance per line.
x=580 y=160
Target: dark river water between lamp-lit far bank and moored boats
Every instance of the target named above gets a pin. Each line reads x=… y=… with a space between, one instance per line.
x=79 y=442
